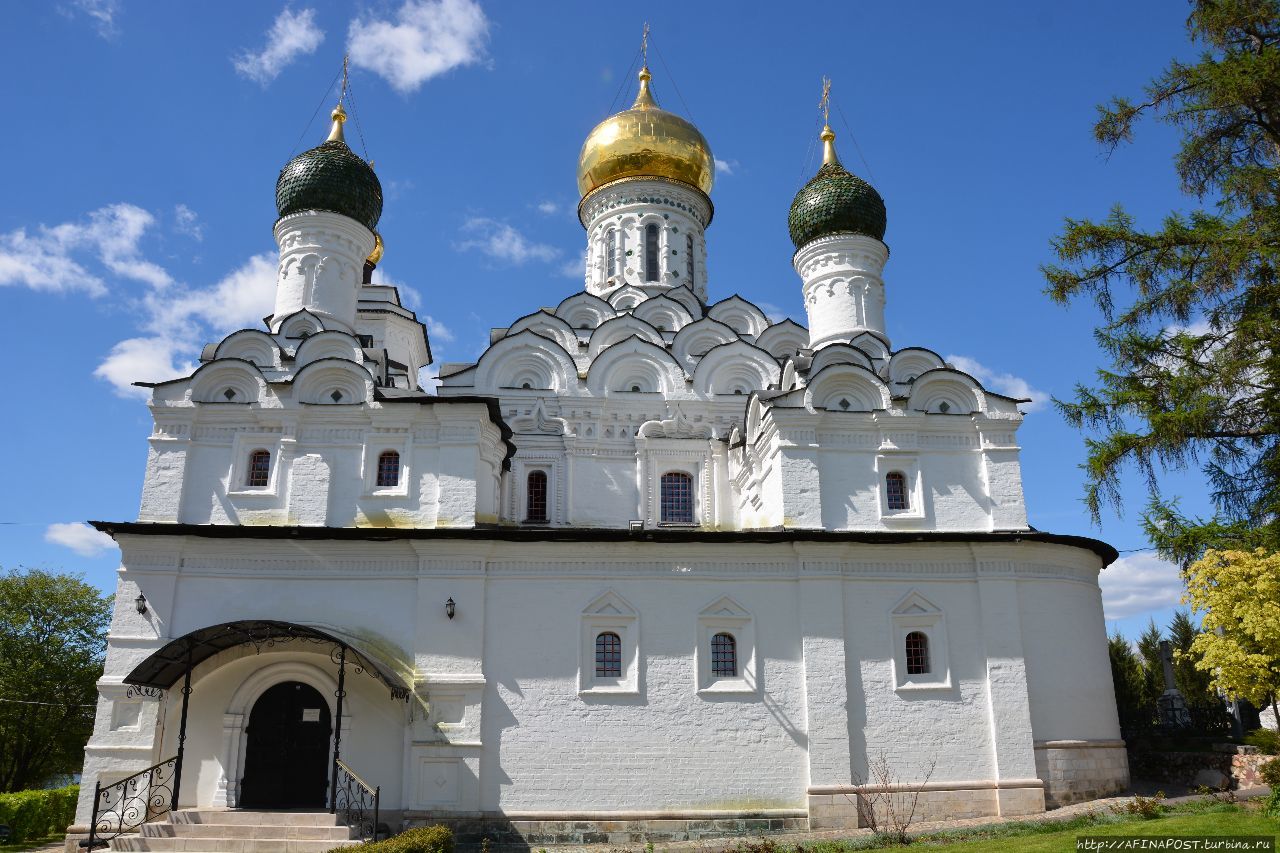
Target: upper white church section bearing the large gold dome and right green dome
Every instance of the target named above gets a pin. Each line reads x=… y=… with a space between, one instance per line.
x=639 y=355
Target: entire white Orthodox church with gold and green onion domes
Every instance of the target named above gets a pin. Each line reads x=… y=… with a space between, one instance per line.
x=653 y=568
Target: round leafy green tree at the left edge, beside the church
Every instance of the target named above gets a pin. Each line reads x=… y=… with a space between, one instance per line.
x=53 y=637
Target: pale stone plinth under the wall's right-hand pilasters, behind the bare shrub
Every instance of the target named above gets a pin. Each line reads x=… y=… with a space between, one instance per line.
x=848 y=806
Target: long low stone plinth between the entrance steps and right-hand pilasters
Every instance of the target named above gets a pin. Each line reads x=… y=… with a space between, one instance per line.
x=523 y=832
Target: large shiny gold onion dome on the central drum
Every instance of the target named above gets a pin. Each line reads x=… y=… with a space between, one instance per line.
x=646 y=143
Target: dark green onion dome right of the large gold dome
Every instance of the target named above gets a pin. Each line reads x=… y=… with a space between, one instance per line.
x=835 y=203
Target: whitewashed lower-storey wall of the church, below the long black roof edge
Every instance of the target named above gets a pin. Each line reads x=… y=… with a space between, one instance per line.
x=504 y=722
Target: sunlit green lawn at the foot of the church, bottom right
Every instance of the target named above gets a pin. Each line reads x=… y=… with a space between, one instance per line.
x=1204 y=818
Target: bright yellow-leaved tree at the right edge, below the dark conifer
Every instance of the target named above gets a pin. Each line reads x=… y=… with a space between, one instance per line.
x=1240 y=640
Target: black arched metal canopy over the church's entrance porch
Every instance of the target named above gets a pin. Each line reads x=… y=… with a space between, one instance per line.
x=176 y=659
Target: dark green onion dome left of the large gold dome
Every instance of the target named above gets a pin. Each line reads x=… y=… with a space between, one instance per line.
x=331 y=177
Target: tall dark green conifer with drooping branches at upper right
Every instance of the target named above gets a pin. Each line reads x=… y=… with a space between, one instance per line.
x=1192 y=309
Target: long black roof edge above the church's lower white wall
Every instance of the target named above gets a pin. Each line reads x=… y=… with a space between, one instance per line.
x=1103 y=550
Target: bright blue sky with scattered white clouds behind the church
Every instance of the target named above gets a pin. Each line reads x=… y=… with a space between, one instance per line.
x=144 y=142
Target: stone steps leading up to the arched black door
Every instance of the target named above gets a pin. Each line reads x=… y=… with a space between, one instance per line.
x=193 y=831
